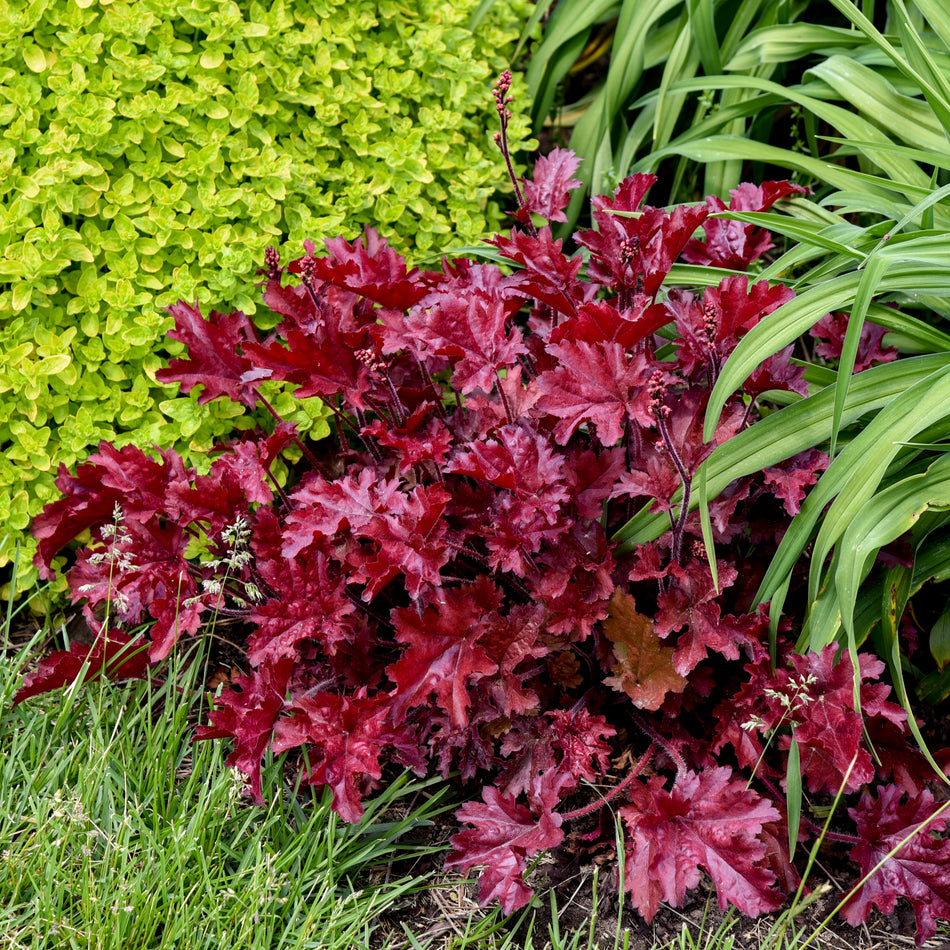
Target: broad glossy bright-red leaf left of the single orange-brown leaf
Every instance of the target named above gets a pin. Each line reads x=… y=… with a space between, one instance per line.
x=444 y=657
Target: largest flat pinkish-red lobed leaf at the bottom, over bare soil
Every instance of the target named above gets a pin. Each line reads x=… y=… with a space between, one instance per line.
x=709 y=820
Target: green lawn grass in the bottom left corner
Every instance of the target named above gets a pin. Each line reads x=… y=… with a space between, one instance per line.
x=119 y=832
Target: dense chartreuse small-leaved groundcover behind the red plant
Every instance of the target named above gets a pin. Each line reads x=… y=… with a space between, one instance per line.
x=151 y=150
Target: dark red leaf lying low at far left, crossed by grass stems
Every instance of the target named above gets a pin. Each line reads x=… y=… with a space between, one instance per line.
x=114 y=655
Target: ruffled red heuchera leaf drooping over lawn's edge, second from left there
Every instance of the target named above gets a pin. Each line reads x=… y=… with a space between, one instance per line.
x=344 y=737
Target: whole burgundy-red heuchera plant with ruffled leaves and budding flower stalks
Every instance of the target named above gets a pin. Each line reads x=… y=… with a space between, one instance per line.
x=437 y=588
